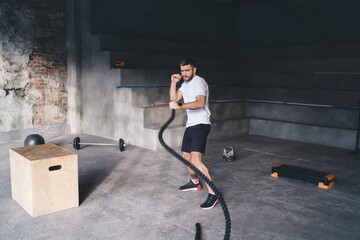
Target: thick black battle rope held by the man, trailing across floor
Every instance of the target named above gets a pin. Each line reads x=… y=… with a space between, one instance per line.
x=200 y=174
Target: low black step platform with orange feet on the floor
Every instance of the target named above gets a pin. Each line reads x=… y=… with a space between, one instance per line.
x=322 y=179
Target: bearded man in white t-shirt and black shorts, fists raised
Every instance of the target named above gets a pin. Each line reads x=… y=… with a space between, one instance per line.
x=195 y=93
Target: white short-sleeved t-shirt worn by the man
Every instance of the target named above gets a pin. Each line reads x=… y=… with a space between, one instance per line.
x=197 y=86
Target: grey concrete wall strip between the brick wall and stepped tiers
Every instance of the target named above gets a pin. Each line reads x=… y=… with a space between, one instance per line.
x=91 y=80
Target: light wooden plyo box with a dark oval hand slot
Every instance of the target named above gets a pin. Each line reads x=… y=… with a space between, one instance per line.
x=44 y=178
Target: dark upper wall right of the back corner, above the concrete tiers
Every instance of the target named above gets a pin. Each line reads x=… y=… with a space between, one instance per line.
x=297 y=22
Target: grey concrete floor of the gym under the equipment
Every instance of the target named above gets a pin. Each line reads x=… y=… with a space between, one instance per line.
x=133 y=195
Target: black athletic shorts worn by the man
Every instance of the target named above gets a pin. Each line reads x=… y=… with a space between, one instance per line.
x=195 y=138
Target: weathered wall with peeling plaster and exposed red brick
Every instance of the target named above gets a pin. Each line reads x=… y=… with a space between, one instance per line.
x=33 y=82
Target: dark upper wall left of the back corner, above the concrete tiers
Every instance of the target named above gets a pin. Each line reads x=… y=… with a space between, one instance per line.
x=179 y=21
